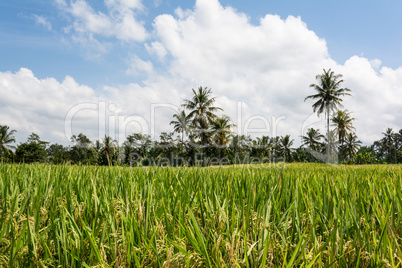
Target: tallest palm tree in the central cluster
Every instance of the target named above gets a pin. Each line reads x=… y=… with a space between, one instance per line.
x=201 y=111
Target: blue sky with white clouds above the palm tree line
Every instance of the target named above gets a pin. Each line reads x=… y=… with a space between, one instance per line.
x=123 y=66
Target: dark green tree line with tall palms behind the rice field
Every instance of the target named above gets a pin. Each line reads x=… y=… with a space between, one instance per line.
x=205 y=138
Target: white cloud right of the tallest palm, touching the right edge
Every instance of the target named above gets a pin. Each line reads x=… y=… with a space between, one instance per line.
x=377 y=97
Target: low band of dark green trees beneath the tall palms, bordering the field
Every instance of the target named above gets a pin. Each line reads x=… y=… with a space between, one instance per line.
x=140 y=150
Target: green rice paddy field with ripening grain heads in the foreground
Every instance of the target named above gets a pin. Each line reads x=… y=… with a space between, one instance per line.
x=293 y=215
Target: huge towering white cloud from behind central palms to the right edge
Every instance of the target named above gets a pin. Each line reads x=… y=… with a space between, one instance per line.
x=269 y=67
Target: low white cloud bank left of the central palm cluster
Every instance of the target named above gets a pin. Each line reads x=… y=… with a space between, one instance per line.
x=56 y=110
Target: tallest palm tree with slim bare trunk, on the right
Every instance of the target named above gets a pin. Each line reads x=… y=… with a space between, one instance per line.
x=328 y=95
